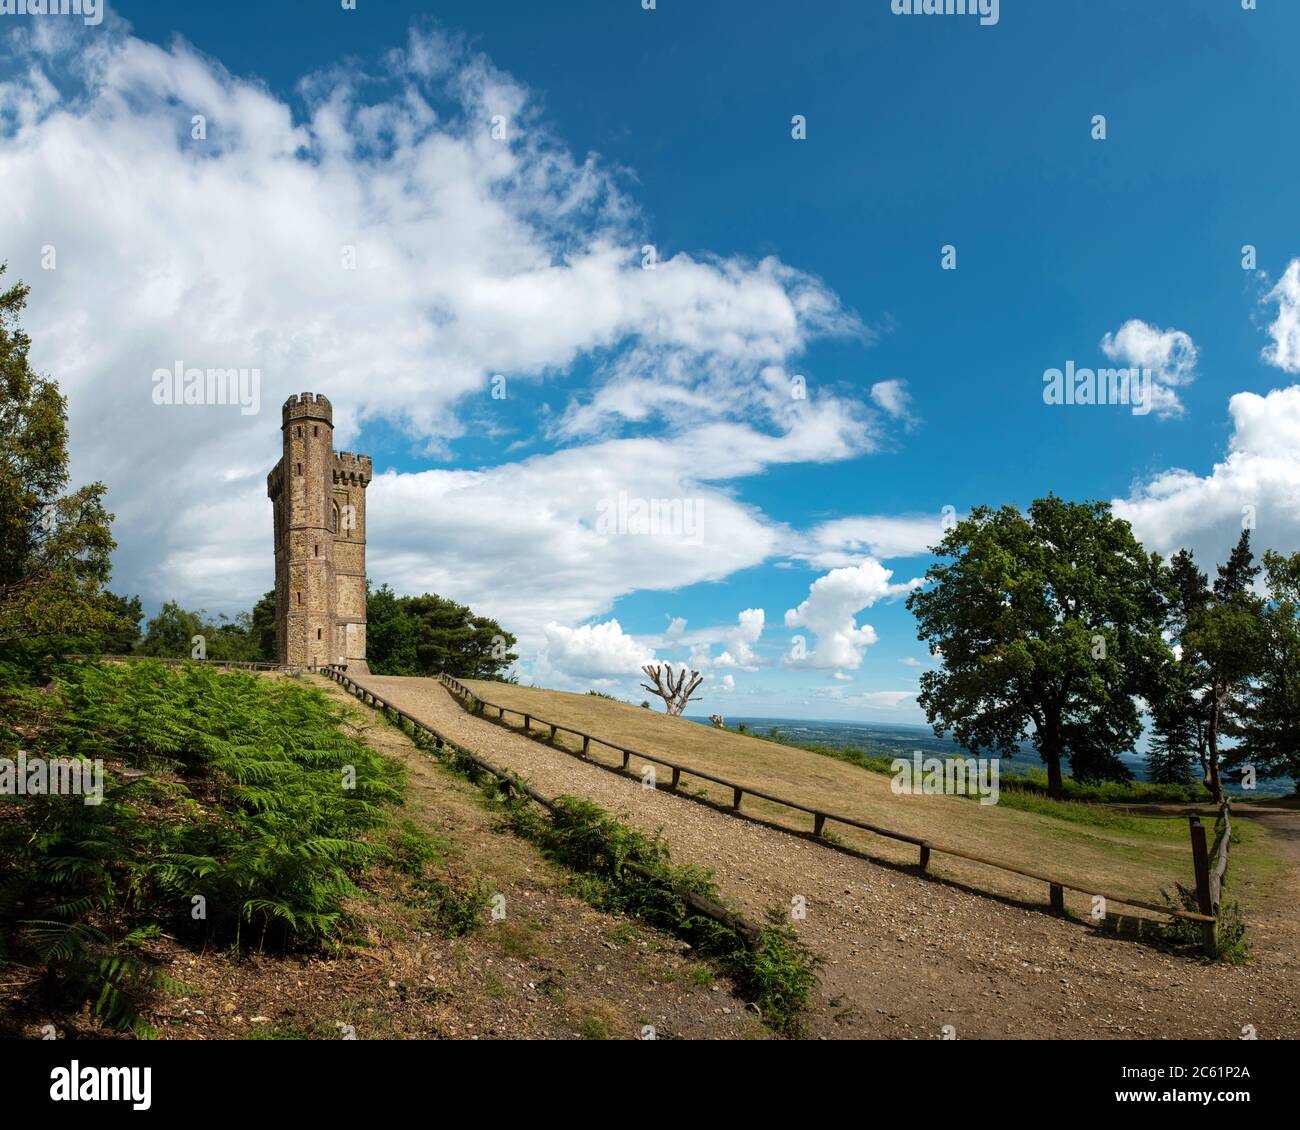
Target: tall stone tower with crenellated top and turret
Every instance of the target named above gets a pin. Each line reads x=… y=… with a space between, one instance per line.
x=319 y=499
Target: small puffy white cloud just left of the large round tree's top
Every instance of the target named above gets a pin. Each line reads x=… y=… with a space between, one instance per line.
x=831 y=612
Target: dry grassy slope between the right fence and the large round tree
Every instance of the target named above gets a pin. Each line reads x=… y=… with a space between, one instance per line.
x=1120 y=852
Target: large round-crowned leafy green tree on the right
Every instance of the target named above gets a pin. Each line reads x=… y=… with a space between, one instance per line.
x=1048 y=626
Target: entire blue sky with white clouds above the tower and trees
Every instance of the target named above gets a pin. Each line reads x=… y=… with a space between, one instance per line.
x=778 y=258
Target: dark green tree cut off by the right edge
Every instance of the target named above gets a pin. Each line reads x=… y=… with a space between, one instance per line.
x=1269 y=730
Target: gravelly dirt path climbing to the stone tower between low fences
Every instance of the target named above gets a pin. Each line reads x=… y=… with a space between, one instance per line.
x=907 y=956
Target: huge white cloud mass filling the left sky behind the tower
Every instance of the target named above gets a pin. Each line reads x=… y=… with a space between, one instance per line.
x=370 y=239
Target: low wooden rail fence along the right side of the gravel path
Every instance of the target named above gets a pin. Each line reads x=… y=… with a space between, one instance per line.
x=1058 y=887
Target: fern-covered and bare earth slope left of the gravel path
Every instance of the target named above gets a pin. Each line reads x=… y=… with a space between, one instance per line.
x=271 y=860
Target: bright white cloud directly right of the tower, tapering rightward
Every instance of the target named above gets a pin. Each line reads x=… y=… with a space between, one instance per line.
x=466 y=534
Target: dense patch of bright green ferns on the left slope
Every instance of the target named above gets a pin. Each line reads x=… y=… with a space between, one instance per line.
x=244 y=806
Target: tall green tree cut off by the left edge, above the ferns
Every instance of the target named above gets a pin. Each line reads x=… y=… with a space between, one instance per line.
x=55 y=547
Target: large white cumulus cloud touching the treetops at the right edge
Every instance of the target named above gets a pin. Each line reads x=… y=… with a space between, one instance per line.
x=1256 y=484
